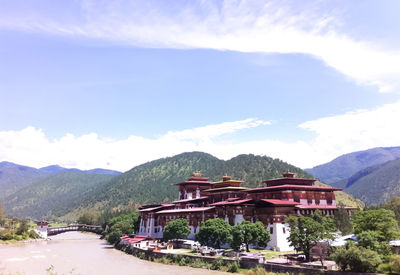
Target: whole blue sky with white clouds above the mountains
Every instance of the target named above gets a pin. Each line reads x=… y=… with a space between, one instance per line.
x=114 y=84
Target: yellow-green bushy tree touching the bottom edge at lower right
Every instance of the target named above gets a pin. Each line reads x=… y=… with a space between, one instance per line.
x=357 y=259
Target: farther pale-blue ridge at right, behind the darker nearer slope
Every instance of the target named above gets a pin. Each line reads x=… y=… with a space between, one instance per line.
x=347 y=165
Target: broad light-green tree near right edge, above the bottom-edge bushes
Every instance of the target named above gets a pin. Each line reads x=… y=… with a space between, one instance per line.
x=381 y=221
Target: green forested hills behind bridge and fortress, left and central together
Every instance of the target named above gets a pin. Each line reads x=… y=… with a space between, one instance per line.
x=69 y=194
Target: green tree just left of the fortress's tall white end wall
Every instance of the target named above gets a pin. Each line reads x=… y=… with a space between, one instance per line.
x=249 y=233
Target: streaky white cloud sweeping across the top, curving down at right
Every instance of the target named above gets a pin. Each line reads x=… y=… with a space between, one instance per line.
x=245 y=26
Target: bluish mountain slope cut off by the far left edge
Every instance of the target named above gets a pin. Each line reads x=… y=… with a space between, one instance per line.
x=14 y=177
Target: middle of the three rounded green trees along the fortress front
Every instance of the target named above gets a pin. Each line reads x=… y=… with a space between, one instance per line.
x=214 y=232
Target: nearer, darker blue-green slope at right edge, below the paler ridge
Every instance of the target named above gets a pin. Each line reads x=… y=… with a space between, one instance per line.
x=375 y=184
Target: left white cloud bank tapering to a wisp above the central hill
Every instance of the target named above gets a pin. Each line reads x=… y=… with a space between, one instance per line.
x=31 y=147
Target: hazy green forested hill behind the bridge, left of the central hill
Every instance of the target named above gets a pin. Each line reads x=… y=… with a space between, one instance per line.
x=54 y=195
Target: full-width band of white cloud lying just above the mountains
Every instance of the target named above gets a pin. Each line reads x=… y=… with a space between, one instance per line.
x=334 y=136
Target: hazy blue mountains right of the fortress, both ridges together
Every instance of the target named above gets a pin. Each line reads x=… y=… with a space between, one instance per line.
x=372 y=175
